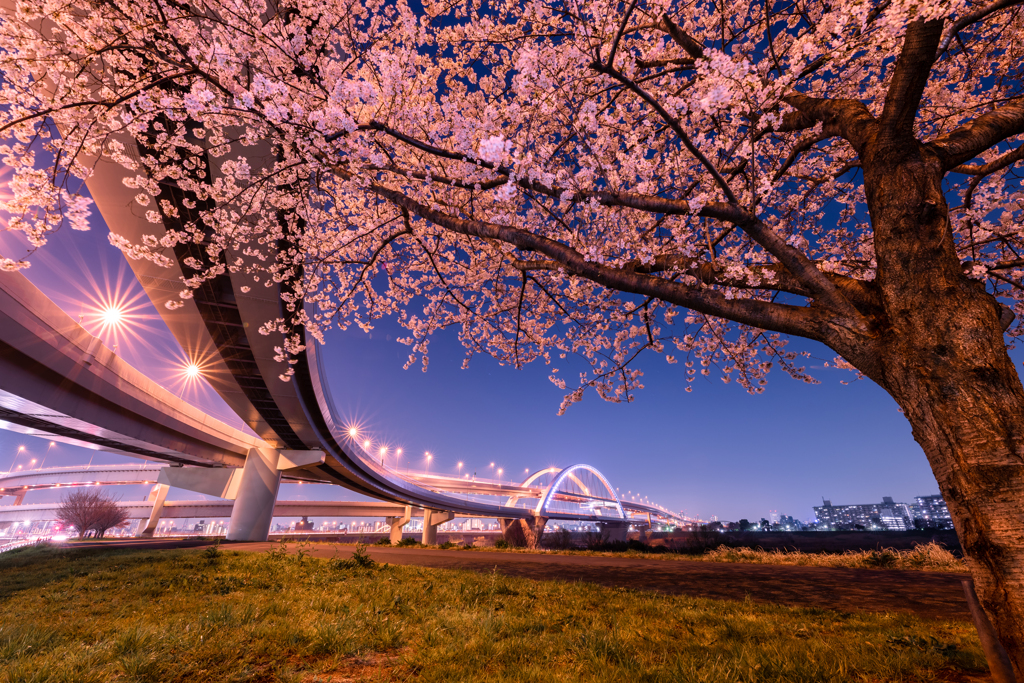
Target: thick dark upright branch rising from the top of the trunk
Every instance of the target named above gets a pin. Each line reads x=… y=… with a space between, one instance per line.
x=911 y=77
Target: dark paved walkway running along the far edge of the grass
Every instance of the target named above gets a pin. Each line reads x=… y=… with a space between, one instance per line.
x=927 y=594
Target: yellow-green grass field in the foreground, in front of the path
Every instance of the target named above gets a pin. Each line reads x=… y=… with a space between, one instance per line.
x=216 y=616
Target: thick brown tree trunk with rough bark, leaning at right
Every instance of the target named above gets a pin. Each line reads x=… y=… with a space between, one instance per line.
x=941 y=353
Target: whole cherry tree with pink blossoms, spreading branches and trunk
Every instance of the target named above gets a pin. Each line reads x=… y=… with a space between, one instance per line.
x=700 y=181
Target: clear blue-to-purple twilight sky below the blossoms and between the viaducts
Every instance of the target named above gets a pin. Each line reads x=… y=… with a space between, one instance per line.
x=714 y=452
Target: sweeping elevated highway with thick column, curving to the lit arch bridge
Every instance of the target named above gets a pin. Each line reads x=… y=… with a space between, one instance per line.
x=60 y=381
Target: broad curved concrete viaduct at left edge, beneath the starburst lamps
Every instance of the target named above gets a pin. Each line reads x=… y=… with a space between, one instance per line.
x=58 y=379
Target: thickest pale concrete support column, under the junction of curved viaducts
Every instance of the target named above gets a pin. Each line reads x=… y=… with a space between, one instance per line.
x=257 y=496
